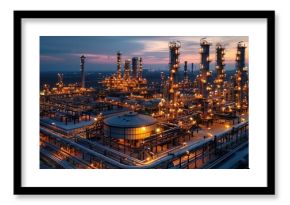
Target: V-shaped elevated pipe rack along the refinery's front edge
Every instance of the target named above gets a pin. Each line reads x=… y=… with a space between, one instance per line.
x=208 y=146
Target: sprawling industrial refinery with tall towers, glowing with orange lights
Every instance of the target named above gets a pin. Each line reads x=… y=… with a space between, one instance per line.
x=184 y=123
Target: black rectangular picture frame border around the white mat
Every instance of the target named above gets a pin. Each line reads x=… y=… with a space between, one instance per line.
x=269 y=189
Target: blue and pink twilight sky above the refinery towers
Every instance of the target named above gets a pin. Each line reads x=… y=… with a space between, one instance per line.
x=61 y=53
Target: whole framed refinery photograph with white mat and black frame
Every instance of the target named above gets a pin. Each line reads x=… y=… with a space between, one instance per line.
x=144 y=102
